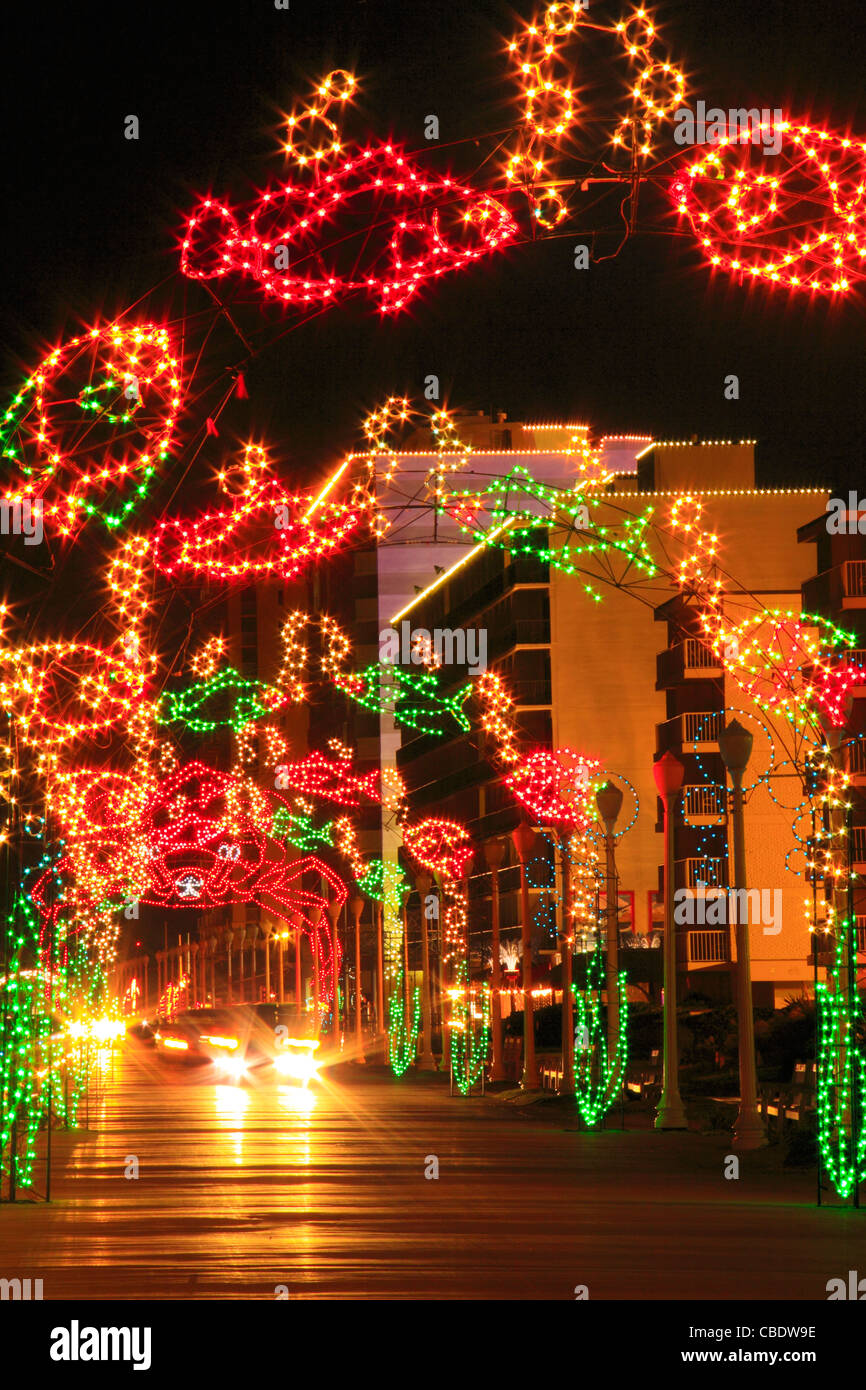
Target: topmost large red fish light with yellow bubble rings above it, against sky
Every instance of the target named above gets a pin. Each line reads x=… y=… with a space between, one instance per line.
x=352 y=219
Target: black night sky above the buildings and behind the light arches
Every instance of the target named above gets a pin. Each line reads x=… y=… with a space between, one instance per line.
x=642 y=343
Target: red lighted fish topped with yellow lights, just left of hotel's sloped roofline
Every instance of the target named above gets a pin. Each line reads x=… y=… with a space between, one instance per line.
x=266 y=533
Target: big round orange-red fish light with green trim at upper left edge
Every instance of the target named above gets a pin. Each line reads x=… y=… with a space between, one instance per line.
x=91 y=427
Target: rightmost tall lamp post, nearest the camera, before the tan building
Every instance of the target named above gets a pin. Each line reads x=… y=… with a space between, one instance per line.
x=736 y=749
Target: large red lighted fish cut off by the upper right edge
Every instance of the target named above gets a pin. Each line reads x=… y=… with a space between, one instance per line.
x=794 y=219
